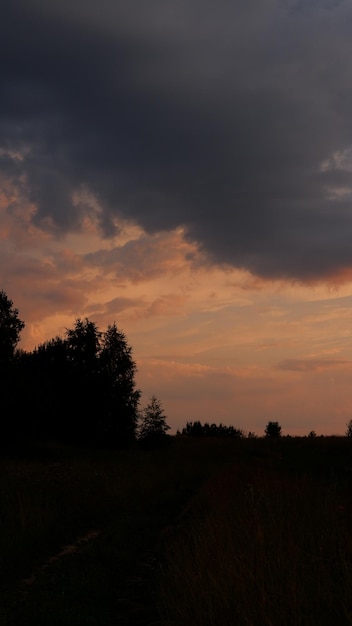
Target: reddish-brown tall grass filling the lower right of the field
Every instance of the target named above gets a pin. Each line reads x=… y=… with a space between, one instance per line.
x=263 y=547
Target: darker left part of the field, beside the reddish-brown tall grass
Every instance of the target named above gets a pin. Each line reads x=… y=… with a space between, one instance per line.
x=52 y=496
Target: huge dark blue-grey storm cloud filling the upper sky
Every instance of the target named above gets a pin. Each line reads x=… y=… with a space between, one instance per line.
x=232 y=119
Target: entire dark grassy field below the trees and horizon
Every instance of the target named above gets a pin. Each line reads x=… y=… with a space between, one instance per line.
x=203 y=532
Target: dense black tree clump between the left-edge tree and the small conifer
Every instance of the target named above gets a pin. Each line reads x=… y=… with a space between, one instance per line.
x=80 y=389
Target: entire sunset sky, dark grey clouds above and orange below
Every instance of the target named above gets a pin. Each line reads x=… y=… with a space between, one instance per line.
x=184 y=169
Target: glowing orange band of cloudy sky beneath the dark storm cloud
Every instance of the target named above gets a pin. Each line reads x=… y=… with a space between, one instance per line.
x=214 y=343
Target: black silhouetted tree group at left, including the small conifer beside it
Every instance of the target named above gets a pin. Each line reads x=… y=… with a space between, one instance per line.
x=77 y=389
